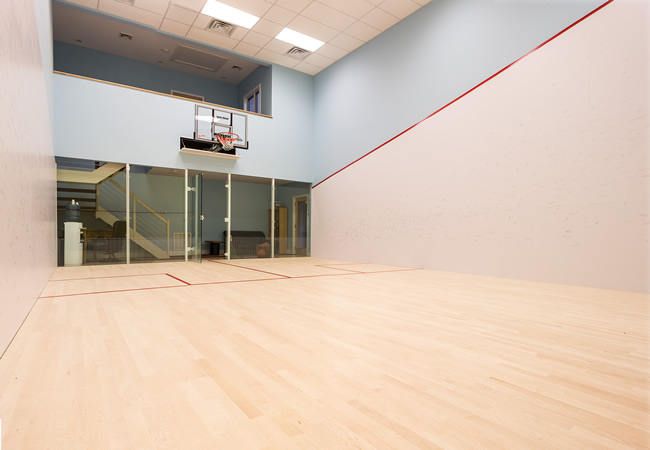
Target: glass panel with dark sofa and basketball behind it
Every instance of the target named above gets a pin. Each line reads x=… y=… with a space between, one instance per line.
x=250 y=218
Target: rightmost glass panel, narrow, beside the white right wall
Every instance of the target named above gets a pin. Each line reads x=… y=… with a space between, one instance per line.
x=292 y=206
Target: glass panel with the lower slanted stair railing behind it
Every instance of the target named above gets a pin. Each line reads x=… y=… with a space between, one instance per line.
x=157 y=214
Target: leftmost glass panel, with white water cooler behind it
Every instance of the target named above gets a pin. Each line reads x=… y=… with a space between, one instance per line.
x=91 y=212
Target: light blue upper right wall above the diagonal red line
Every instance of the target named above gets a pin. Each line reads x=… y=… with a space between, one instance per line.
x=421 y=64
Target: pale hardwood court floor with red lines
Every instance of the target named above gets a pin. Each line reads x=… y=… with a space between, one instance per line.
x=307 y=353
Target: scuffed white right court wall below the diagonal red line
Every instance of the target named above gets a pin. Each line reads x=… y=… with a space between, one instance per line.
x=541 y=173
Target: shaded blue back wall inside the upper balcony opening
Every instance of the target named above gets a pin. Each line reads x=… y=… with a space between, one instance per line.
x=118 y=69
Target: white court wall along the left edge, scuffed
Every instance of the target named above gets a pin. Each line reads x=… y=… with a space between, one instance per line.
x=27 y=172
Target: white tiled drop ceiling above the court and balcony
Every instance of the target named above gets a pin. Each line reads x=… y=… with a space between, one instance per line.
x=344 y=25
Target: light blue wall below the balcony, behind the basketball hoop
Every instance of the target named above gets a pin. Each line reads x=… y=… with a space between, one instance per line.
x=103 y=122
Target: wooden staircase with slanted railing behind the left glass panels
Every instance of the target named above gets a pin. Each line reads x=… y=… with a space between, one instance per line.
x=97 y=191
